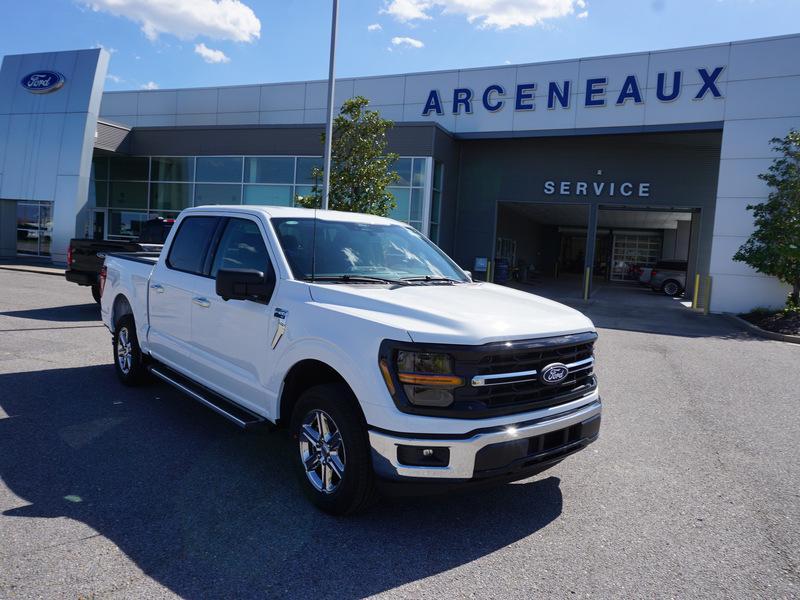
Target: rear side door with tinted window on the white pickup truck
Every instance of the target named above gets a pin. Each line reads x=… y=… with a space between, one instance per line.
x=172 y=287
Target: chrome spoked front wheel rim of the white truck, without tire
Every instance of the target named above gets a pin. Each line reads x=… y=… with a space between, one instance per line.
x=322 y=451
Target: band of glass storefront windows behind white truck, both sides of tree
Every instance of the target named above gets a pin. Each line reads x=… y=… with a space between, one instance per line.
x=165 y=185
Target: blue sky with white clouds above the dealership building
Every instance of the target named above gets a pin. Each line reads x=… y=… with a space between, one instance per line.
x=187 y=43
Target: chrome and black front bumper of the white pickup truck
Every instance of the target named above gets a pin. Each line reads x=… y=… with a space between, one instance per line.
x=494 y=452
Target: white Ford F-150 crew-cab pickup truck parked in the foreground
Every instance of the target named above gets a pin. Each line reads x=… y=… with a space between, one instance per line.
x=388 y=364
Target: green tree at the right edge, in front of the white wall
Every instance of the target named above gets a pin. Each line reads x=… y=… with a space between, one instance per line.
x=774 y=247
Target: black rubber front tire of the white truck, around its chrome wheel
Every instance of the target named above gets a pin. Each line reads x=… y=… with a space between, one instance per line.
x=354 y=491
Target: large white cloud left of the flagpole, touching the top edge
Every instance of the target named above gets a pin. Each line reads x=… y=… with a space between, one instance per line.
x=186 y=19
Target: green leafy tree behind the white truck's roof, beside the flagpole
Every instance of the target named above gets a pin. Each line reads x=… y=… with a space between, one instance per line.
x=360 y=166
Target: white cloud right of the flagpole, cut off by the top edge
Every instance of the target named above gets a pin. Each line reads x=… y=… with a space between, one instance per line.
x=500 y=14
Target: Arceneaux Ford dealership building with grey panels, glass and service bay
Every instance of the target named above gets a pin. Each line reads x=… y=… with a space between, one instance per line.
x=585 y=169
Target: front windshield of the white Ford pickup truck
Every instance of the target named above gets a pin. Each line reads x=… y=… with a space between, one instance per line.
x=362 y=252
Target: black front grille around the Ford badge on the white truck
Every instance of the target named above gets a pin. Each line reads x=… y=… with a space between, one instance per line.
x=532 y=355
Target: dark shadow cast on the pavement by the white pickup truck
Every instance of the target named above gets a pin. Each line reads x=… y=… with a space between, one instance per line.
x=208 y=510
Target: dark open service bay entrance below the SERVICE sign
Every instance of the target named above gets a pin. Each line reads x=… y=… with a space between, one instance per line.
x=561 y=245
